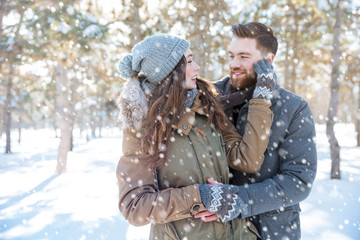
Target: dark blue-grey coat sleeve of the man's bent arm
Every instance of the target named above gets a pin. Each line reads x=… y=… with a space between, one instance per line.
x=297 y=169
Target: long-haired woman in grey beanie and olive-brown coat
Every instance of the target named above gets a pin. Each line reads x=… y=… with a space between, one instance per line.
x=174 y=133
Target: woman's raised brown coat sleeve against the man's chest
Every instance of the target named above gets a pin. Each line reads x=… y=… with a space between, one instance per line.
x=246 y=153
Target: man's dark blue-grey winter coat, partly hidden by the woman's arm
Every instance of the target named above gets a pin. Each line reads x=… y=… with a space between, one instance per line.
x=287 y=174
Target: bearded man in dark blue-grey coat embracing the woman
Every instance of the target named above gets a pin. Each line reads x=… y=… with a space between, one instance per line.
x=270 y=197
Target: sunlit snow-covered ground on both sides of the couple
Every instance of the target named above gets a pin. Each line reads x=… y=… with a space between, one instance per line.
x=37 y=204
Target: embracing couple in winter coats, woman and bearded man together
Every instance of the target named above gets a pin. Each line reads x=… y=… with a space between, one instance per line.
x=184 y=137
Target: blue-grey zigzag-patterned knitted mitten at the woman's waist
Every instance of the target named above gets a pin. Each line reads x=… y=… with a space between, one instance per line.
x=223 y=200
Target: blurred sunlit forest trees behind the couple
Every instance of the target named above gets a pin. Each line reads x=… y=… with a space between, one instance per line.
x=58 y=59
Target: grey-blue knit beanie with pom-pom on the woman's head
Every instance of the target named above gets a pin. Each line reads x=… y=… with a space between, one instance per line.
x=155 y=56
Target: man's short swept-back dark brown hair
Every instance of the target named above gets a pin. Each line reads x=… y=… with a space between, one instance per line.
x=265 y=39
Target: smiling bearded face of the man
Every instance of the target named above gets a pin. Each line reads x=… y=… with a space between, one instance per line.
x=242 y=54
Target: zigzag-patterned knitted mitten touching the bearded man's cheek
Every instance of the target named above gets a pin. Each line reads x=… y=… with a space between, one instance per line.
x=266 y=80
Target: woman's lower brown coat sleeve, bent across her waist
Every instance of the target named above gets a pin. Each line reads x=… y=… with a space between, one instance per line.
x=140 y=201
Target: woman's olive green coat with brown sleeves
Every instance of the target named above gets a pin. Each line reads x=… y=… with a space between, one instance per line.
x=169 y=197
